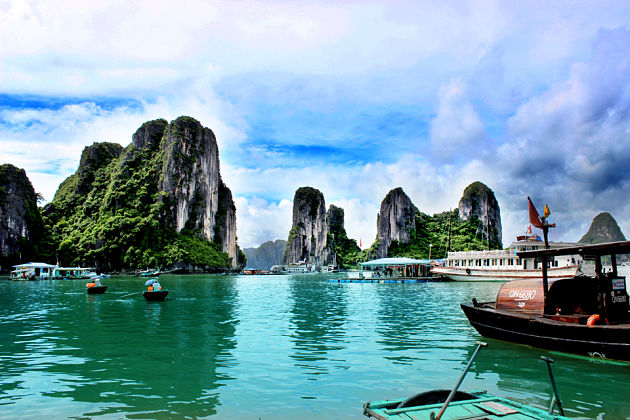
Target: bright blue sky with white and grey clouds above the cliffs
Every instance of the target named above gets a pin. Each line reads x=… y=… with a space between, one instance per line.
x=353 y=98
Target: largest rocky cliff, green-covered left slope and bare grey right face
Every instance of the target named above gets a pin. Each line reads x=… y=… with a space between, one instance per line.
x=160 y=201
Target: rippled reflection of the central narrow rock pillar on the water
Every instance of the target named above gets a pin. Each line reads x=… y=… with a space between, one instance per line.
x=318 y=318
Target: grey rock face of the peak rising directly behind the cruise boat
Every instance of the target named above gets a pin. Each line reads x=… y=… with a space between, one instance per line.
x=479 y=201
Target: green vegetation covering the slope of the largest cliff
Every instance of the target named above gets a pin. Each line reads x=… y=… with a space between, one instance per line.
x=112 y=215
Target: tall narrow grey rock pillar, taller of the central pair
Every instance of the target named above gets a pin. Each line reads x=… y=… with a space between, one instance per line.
x=308 y=236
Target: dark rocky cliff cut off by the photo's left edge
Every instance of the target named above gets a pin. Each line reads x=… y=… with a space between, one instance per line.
x=20 y=221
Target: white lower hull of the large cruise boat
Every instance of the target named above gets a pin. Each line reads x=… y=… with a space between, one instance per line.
x=480 y=274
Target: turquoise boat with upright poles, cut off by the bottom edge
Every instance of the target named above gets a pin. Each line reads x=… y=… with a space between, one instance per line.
x=456 y=405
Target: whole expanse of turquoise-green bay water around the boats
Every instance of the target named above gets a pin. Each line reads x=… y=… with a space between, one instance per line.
x=269 y=347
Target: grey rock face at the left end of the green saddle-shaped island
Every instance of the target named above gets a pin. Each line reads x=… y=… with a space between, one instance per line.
x=396 y=221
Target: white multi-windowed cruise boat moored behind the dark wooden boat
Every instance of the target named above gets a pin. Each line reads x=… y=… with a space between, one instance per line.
x=504 y=265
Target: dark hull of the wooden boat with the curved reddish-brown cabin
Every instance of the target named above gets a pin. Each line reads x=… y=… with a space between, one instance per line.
x=604 y=341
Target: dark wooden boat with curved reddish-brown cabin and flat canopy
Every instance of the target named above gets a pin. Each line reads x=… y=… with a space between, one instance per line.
x=582 y=314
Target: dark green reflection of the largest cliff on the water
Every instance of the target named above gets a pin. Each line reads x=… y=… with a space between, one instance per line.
x=125 y=355
